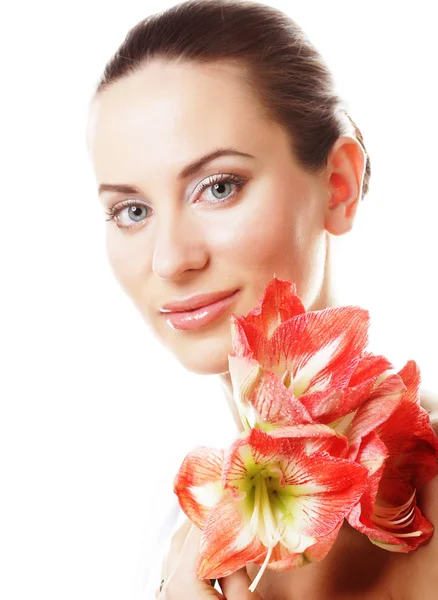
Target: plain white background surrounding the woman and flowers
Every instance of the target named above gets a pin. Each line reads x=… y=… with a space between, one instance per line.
x=95 y=416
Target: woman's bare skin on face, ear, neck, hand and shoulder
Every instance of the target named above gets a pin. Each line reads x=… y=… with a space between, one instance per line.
x=142 y=131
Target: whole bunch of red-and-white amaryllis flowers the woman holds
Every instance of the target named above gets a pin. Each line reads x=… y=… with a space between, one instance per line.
x=331 y=431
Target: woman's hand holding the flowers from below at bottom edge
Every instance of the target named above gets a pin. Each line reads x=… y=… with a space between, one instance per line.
x=179 y=572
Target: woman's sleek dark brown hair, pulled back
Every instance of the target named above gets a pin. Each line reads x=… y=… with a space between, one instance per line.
x=290 y=76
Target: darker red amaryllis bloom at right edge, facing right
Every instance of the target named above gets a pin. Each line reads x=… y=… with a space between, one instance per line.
x=400 y=451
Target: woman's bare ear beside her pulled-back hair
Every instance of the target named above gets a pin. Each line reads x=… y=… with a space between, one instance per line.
x=345 y=173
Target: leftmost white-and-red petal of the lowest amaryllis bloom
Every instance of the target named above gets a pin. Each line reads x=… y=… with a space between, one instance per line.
x=198 y=483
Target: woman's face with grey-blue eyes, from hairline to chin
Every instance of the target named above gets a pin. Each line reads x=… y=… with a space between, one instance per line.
x=179 y=240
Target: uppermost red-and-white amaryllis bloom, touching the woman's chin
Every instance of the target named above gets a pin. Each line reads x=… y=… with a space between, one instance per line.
x=290 y=366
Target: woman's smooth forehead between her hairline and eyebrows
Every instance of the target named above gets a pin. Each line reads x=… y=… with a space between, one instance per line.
x=168 y=113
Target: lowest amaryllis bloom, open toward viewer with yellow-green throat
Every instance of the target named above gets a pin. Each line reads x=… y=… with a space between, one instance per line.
x=276 y=499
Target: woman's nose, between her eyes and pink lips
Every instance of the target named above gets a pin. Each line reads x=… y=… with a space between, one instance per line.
x=179 y=246
